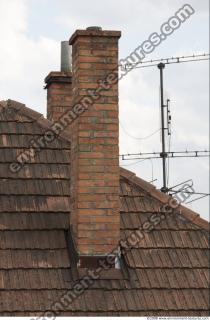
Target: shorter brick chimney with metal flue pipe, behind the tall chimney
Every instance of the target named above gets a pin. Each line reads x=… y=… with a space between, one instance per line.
x=59 y=86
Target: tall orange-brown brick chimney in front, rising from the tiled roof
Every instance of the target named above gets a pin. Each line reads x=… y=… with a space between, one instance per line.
x=95 y=212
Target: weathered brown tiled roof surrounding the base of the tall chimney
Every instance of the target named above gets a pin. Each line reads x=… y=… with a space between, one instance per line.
x=167 y=272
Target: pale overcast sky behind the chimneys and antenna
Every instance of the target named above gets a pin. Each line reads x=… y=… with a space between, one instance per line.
x=31 y=31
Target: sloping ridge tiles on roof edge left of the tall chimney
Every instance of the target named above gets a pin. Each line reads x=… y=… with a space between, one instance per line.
x=36 y=116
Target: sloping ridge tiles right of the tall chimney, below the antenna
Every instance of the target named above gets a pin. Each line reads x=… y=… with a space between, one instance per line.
x=164 y=198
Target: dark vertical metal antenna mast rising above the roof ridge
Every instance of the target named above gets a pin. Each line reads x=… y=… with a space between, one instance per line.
x=163 y=154
